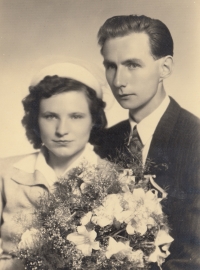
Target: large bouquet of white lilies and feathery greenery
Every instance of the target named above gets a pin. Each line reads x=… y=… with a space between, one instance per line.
x=98 y=217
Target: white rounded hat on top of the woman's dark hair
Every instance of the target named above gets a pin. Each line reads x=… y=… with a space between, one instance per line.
x=72 y=71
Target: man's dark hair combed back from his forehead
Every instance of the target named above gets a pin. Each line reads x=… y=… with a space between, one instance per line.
x=160 y=39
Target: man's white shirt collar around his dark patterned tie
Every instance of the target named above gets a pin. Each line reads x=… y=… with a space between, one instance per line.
x=148 y=125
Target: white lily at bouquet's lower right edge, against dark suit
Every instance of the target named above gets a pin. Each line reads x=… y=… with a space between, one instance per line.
x=162 y=239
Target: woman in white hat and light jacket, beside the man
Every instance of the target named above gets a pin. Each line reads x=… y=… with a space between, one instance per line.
x=64 y=113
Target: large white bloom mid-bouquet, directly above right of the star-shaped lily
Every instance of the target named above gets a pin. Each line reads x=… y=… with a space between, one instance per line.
x=105 y=214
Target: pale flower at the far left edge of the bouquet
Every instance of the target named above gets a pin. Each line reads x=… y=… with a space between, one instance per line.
x=29 y=238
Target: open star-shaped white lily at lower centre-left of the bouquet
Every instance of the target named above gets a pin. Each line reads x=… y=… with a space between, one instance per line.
x=84 y=240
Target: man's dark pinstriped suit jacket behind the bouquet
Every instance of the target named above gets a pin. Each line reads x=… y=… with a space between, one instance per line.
x=176 y=142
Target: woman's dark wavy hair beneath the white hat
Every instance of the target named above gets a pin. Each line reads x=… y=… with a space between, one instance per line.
x=53 y=85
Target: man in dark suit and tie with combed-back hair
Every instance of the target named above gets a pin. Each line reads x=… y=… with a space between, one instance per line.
x=138 y=56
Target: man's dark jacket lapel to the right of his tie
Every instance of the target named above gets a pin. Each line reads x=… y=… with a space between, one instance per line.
x=163 y=133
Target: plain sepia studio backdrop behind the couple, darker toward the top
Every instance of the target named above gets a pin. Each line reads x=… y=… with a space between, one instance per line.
x=36 y=33
